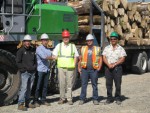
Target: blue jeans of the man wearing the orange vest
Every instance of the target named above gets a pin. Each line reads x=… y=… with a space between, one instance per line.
x=85 y=75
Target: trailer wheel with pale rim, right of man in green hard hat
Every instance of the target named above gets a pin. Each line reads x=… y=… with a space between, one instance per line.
x=139 y=63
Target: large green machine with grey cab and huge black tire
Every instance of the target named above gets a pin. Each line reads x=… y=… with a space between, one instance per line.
x=21 y=17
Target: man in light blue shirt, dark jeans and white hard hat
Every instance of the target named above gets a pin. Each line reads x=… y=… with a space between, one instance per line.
x=43 y=55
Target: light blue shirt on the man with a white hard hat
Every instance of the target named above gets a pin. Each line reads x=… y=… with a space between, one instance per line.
x=42 y=63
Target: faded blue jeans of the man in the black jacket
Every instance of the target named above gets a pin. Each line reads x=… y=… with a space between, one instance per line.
x=27 y=80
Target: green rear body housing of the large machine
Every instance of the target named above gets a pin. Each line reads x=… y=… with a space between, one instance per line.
x=54 y=18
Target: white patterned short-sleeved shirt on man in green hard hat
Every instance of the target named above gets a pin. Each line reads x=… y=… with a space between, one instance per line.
x=113 y=55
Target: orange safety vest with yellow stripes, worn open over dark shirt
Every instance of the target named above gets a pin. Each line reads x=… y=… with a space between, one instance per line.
x=95 y=56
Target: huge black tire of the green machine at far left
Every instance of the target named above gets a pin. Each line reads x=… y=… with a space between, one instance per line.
x=9 y=78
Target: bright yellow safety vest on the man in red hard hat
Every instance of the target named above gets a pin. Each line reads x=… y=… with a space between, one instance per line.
x=66 y=57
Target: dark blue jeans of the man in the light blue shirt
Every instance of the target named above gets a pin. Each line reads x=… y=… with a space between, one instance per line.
x=42 y=85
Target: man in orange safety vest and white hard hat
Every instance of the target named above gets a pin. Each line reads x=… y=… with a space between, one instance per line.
x=89 y=65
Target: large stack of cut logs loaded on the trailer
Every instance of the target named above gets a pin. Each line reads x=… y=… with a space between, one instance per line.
x=131 y=20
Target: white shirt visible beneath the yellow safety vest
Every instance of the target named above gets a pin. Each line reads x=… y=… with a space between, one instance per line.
x=64 y=47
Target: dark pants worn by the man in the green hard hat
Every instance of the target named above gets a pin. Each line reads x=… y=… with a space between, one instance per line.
x=116 y=76
